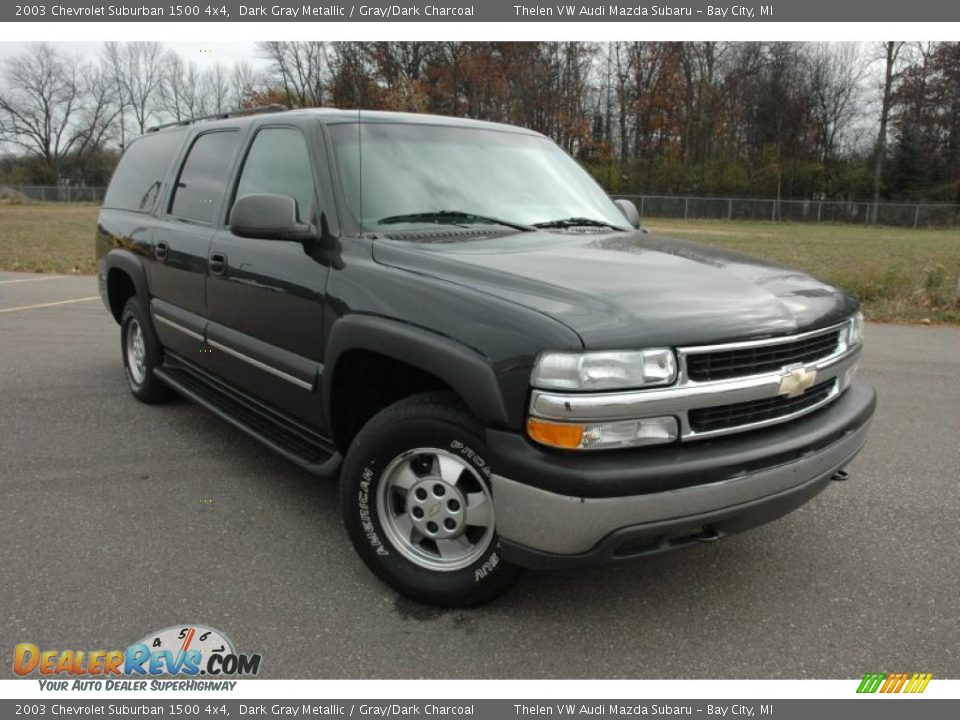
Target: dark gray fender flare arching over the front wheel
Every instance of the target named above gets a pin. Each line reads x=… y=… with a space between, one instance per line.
x=465 y=370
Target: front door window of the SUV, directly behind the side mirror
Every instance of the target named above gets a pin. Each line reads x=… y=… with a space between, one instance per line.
x=279 y=164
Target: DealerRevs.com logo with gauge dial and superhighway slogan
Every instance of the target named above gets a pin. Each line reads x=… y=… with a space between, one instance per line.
x=181 y=651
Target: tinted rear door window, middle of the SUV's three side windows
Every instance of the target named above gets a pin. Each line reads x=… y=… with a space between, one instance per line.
x=203 y=177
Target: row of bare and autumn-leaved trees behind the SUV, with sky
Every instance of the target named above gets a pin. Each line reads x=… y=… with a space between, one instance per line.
x=830 y=121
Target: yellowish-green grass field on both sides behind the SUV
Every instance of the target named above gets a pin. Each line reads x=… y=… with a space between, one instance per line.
x=900 y=275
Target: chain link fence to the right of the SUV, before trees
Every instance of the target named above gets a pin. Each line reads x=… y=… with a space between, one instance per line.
x=914 y=215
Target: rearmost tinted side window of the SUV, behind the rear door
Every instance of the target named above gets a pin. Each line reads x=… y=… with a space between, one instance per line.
x=138 y=179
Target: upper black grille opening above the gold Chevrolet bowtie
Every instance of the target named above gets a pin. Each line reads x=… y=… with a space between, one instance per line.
x=740 y=362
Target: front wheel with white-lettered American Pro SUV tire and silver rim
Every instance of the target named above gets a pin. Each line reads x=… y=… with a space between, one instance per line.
x=416 y=501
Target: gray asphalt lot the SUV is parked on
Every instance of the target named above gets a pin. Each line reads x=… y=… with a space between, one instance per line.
x=120 y=518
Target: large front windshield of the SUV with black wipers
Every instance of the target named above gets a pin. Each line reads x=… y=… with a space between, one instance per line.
x=417 y=175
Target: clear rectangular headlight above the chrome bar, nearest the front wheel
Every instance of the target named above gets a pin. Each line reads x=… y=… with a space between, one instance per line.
x=604 y=370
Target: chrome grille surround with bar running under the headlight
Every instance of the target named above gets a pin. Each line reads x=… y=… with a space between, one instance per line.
x=688 y=395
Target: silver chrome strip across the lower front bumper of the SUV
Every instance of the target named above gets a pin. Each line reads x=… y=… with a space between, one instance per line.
x=568 y=525
